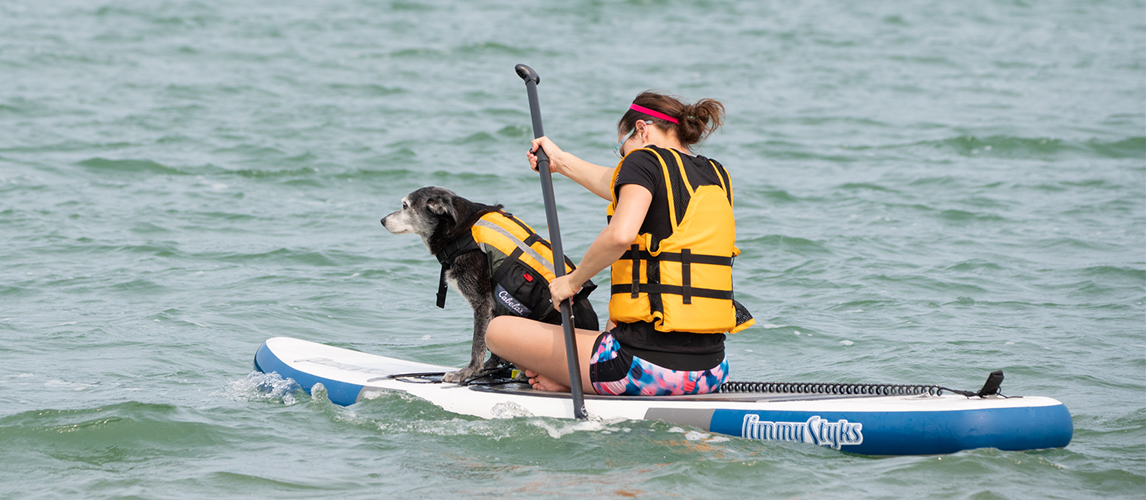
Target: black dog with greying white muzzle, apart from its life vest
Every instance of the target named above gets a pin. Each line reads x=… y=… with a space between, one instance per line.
x=442 y=218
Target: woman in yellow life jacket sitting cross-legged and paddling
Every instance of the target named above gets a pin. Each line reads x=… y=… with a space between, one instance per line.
x=671 y=241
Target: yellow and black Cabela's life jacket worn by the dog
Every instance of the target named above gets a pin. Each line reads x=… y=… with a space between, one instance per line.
x=521 y=265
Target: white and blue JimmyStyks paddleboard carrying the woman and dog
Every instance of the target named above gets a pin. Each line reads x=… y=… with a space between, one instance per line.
x=867 y=425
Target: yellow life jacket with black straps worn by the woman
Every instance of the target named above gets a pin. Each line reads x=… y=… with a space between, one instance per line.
x=685 y=282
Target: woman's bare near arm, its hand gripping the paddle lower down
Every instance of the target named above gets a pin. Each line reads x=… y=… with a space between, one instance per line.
x=610 y=245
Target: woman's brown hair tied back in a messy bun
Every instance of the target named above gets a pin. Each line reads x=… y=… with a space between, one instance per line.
x=697 y=121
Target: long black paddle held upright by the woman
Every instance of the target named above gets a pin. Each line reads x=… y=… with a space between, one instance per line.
x=555 y=237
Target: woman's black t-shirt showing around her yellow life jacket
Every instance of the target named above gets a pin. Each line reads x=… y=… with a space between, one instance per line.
x=674 y=350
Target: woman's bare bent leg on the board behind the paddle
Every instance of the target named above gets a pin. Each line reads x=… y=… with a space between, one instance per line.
x=539 y=349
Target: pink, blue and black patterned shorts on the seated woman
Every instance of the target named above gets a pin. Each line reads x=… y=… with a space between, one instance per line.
x=615 y=371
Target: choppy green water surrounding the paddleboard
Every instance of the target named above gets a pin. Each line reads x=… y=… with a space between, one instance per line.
x=927 y=192
